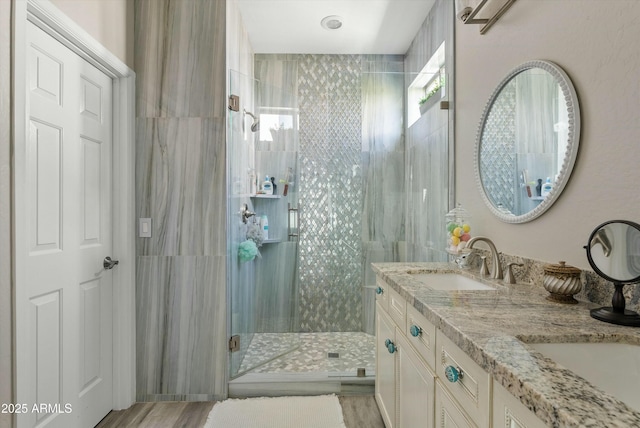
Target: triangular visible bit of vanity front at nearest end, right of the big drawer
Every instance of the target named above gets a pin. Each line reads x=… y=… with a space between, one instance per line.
x=508 y=412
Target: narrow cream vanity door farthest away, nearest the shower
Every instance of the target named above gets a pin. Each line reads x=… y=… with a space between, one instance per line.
x=385 y=368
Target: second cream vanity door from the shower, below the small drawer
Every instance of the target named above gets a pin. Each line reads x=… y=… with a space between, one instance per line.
x=416 y=388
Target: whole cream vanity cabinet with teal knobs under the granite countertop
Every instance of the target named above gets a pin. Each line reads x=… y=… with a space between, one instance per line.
x=428 y=381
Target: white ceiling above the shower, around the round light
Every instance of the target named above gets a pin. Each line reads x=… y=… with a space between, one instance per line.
x=369 y=26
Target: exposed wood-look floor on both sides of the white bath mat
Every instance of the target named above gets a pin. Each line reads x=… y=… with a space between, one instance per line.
x=358 y=412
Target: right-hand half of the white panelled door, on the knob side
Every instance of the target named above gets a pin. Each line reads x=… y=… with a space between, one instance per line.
x=94 y=244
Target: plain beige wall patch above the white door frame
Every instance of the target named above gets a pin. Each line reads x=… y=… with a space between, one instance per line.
x=110 y=22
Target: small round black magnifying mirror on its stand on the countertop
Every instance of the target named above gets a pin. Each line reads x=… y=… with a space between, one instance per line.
x=613 y=251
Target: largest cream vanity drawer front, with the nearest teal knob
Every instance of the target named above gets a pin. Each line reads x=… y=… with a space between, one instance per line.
x=472 y=389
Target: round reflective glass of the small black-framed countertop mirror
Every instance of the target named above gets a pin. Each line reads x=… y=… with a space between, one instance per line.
x=614 y=251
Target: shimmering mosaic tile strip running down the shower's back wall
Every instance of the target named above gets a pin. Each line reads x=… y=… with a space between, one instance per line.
x=330 y=100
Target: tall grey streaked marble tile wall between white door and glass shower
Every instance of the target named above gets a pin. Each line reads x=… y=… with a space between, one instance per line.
x=180 y=184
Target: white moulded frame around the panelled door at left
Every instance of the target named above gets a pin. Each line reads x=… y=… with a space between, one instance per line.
x=46 y=16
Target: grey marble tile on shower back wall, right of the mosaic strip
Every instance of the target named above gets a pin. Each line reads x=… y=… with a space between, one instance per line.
x=383 y=170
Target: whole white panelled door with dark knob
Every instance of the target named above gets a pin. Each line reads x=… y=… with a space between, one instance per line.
x=64 y=319
